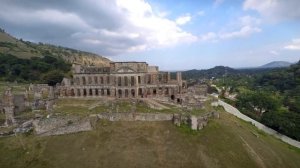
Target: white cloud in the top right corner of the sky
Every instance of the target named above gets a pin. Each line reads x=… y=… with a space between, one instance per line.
x=275 y=10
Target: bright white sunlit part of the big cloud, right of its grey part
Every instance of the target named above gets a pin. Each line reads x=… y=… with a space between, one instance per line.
x=158 y=31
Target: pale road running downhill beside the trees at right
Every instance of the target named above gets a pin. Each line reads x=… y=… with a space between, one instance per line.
x=232 y=110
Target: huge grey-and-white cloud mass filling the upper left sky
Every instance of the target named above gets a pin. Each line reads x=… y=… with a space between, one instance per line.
x=106 y=27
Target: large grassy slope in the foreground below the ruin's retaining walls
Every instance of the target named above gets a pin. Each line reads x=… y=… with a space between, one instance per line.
x=225 y=142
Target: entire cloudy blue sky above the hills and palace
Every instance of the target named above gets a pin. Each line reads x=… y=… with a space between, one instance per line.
x=173 y=34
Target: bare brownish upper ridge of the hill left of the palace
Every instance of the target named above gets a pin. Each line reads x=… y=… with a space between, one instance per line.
x=25 y=49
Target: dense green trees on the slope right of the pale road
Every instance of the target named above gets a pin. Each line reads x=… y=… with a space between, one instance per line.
x=272 y=98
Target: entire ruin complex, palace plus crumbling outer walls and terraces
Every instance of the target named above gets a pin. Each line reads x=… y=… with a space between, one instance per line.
x=148 y=90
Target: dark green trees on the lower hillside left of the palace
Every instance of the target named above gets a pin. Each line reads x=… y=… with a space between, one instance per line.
x=47 y=69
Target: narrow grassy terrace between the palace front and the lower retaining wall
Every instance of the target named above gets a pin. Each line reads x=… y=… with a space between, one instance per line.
x=94 y=106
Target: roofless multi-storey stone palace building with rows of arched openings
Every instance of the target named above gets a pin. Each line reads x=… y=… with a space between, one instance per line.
x=122 y=80
